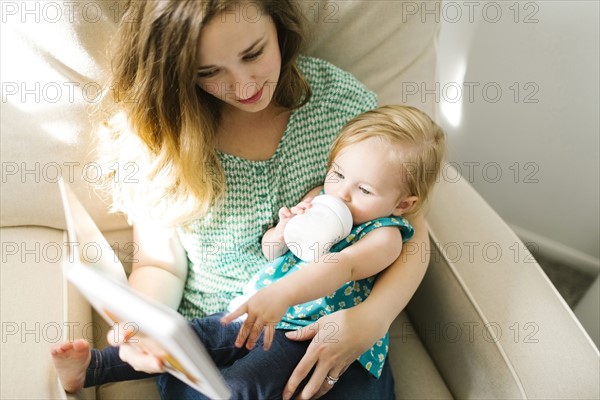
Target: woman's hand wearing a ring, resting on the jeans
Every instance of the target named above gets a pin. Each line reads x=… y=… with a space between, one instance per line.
x=338 y=340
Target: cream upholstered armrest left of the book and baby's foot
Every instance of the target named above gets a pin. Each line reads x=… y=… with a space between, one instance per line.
x=32 y=311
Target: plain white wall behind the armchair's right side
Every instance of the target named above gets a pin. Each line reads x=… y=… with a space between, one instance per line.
x=524 y=128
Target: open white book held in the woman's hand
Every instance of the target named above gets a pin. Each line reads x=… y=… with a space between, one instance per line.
x=103 y=283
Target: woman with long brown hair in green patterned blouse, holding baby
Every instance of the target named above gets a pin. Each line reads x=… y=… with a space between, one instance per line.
x=227 y=124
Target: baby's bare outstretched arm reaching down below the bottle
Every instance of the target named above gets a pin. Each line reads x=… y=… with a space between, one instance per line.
x=369 y=256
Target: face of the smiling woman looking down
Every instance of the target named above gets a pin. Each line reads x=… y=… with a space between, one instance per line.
x=239 y=61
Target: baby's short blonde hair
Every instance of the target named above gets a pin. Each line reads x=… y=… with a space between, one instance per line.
x=418 y=140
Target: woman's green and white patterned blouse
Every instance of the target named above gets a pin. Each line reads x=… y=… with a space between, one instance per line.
x=224 y=247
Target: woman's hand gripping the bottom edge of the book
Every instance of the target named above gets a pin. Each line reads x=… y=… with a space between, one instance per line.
x=142 y=353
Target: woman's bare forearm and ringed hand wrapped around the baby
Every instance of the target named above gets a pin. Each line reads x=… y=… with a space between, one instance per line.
x=372 y=318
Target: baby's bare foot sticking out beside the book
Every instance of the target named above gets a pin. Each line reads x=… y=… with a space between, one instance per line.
x=71 y=360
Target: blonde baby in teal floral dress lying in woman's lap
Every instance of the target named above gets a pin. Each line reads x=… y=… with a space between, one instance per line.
x=383 y=166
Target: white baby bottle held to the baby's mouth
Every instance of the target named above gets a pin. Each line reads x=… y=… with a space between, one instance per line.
x=311 y=234
